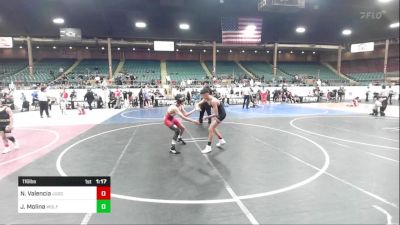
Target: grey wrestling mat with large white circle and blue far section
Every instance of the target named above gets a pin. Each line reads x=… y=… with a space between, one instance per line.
x=282 y=164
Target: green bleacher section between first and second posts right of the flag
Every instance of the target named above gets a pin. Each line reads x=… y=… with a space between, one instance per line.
x=310 y=69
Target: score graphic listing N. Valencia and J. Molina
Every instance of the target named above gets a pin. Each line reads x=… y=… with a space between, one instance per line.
x=64 y=195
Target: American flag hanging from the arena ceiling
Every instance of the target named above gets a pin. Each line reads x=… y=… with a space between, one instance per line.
x=242 y=30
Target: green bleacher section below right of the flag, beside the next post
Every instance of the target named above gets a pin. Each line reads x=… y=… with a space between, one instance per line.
x=264 y=70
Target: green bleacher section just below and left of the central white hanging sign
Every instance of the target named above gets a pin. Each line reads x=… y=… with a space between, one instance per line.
x=145 y=71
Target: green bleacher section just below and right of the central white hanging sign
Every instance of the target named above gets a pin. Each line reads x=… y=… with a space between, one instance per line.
x=185 y=70
